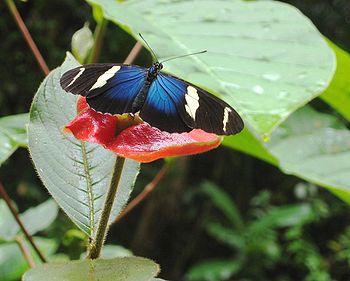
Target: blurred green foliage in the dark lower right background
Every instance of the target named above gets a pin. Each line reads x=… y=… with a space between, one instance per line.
x=269 y=238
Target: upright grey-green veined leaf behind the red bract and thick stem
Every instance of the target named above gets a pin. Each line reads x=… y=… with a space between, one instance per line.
x=77 y=174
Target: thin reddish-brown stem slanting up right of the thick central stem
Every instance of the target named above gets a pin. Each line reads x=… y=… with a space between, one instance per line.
x=145 y=192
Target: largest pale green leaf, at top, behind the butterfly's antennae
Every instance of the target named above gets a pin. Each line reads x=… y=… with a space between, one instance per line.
x=257 y=60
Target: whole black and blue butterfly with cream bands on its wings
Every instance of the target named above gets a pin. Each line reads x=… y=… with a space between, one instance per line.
x=162 y=100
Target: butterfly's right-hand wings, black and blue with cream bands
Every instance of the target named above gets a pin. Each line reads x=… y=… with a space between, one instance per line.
x=175 y=105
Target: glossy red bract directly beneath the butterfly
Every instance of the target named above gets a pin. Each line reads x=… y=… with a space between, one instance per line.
x=131 y=138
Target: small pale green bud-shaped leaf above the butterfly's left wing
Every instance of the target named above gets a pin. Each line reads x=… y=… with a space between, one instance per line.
x=82 y=43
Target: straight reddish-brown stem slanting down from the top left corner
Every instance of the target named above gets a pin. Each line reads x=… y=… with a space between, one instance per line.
x=13 y=9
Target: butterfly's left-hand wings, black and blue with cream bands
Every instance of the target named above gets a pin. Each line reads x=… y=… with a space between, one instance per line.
x=108 y=88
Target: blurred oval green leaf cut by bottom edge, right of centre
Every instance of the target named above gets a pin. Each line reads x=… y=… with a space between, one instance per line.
x=214 y=270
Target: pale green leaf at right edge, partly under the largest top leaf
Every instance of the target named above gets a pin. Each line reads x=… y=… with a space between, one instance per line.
x=311 y=145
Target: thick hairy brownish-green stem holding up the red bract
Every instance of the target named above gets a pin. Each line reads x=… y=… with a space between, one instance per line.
x=97 y=243
